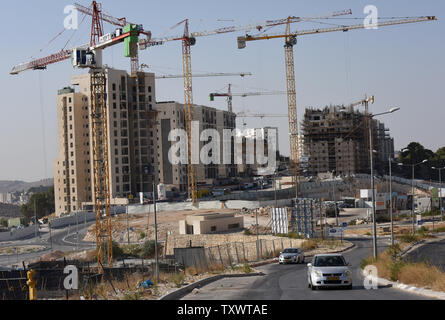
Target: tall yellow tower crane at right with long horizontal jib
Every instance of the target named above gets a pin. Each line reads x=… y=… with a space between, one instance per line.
x=290 y=42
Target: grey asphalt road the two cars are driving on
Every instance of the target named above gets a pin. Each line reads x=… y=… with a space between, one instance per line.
x=289 y=282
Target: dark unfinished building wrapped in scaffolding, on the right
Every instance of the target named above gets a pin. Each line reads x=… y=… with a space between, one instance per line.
x=336 y=139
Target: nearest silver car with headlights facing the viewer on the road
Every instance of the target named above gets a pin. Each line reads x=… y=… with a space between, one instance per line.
x=329 y=270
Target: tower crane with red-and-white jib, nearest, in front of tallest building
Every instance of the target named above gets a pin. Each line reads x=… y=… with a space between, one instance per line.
x=89 y=56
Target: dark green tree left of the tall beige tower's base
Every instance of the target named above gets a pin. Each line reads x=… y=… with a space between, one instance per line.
x=42 y=203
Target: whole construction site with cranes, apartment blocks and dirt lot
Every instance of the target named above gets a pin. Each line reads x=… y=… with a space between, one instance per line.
x=126 y=215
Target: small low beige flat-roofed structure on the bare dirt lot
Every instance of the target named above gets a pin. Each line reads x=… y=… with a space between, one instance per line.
x=208 y=223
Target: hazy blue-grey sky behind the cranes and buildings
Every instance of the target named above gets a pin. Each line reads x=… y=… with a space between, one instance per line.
x=401 y=65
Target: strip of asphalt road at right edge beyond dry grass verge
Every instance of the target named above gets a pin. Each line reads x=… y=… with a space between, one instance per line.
x=433 y=253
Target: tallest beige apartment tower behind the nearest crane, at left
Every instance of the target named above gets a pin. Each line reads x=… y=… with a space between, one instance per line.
x=131 y=133
